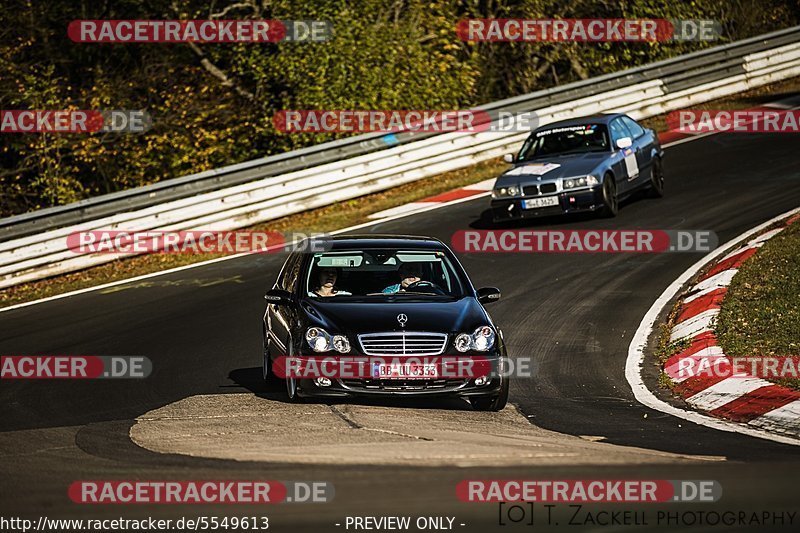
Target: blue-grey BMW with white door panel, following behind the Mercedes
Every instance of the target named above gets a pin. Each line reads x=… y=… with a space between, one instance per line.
x=579 y=165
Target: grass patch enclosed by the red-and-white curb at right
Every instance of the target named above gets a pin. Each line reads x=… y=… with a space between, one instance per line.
x=760 y=314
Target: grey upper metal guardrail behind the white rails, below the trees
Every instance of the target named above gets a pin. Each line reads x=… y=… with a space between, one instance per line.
x=677 y=73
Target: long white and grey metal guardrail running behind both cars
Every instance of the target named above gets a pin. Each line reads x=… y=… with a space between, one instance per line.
x=34 y=245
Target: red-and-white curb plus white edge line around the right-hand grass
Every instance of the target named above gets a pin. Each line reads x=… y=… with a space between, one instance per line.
x=742 y=403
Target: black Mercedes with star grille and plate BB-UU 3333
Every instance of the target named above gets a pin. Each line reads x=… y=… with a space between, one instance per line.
x=396 y=315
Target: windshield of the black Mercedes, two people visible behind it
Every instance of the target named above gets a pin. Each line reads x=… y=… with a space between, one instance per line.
x=383 y=274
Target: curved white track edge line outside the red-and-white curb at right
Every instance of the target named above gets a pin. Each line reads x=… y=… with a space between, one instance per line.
x=635 y=357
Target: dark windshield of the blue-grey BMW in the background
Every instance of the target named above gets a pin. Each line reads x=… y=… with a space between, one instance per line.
x=566 y=140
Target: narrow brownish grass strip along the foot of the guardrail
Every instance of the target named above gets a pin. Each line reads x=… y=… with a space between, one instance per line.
x=340 y=215
